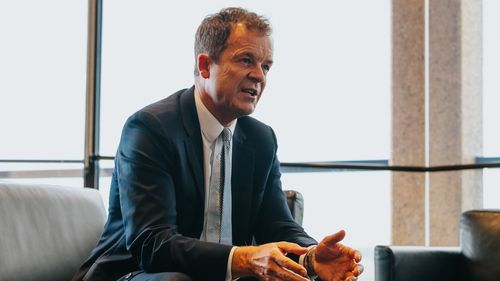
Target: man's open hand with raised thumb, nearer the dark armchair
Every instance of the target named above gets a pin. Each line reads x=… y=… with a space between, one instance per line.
x=333 y=261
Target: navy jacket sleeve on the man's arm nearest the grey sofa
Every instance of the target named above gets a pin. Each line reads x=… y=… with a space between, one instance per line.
x=145 y=163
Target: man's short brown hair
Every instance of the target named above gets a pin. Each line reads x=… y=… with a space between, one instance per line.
x=214 y=30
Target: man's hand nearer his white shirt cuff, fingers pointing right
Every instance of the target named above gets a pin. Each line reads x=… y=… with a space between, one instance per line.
x=268 y=262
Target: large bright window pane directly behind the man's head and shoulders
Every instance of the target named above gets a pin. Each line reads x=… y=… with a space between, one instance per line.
x=147 y=59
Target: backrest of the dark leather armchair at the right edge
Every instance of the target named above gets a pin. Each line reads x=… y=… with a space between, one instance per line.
x=480 y=242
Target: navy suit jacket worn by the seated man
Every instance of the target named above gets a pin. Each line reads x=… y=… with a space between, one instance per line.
x=156 y=207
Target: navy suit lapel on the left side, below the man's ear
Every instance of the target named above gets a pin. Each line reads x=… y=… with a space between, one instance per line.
x=193 y=142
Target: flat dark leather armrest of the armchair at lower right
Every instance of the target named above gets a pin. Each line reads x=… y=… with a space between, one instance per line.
x=406 y=263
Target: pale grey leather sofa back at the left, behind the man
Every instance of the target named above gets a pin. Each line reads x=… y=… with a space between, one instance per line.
x=46 y=232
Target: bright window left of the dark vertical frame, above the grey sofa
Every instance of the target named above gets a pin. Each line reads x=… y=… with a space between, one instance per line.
x=42 y=70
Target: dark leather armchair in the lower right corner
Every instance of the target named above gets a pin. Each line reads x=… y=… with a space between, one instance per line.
x=477 y=258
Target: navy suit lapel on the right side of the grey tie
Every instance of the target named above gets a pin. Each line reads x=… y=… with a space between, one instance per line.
x=242 y=175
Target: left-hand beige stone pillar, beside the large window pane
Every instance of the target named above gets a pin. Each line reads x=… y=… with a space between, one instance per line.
x=408 y=121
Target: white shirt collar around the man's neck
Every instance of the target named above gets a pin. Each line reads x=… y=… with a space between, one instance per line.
x=210 y=126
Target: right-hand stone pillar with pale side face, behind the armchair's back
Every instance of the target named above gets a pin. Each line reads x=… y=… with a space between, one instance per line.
x=455 y=113
